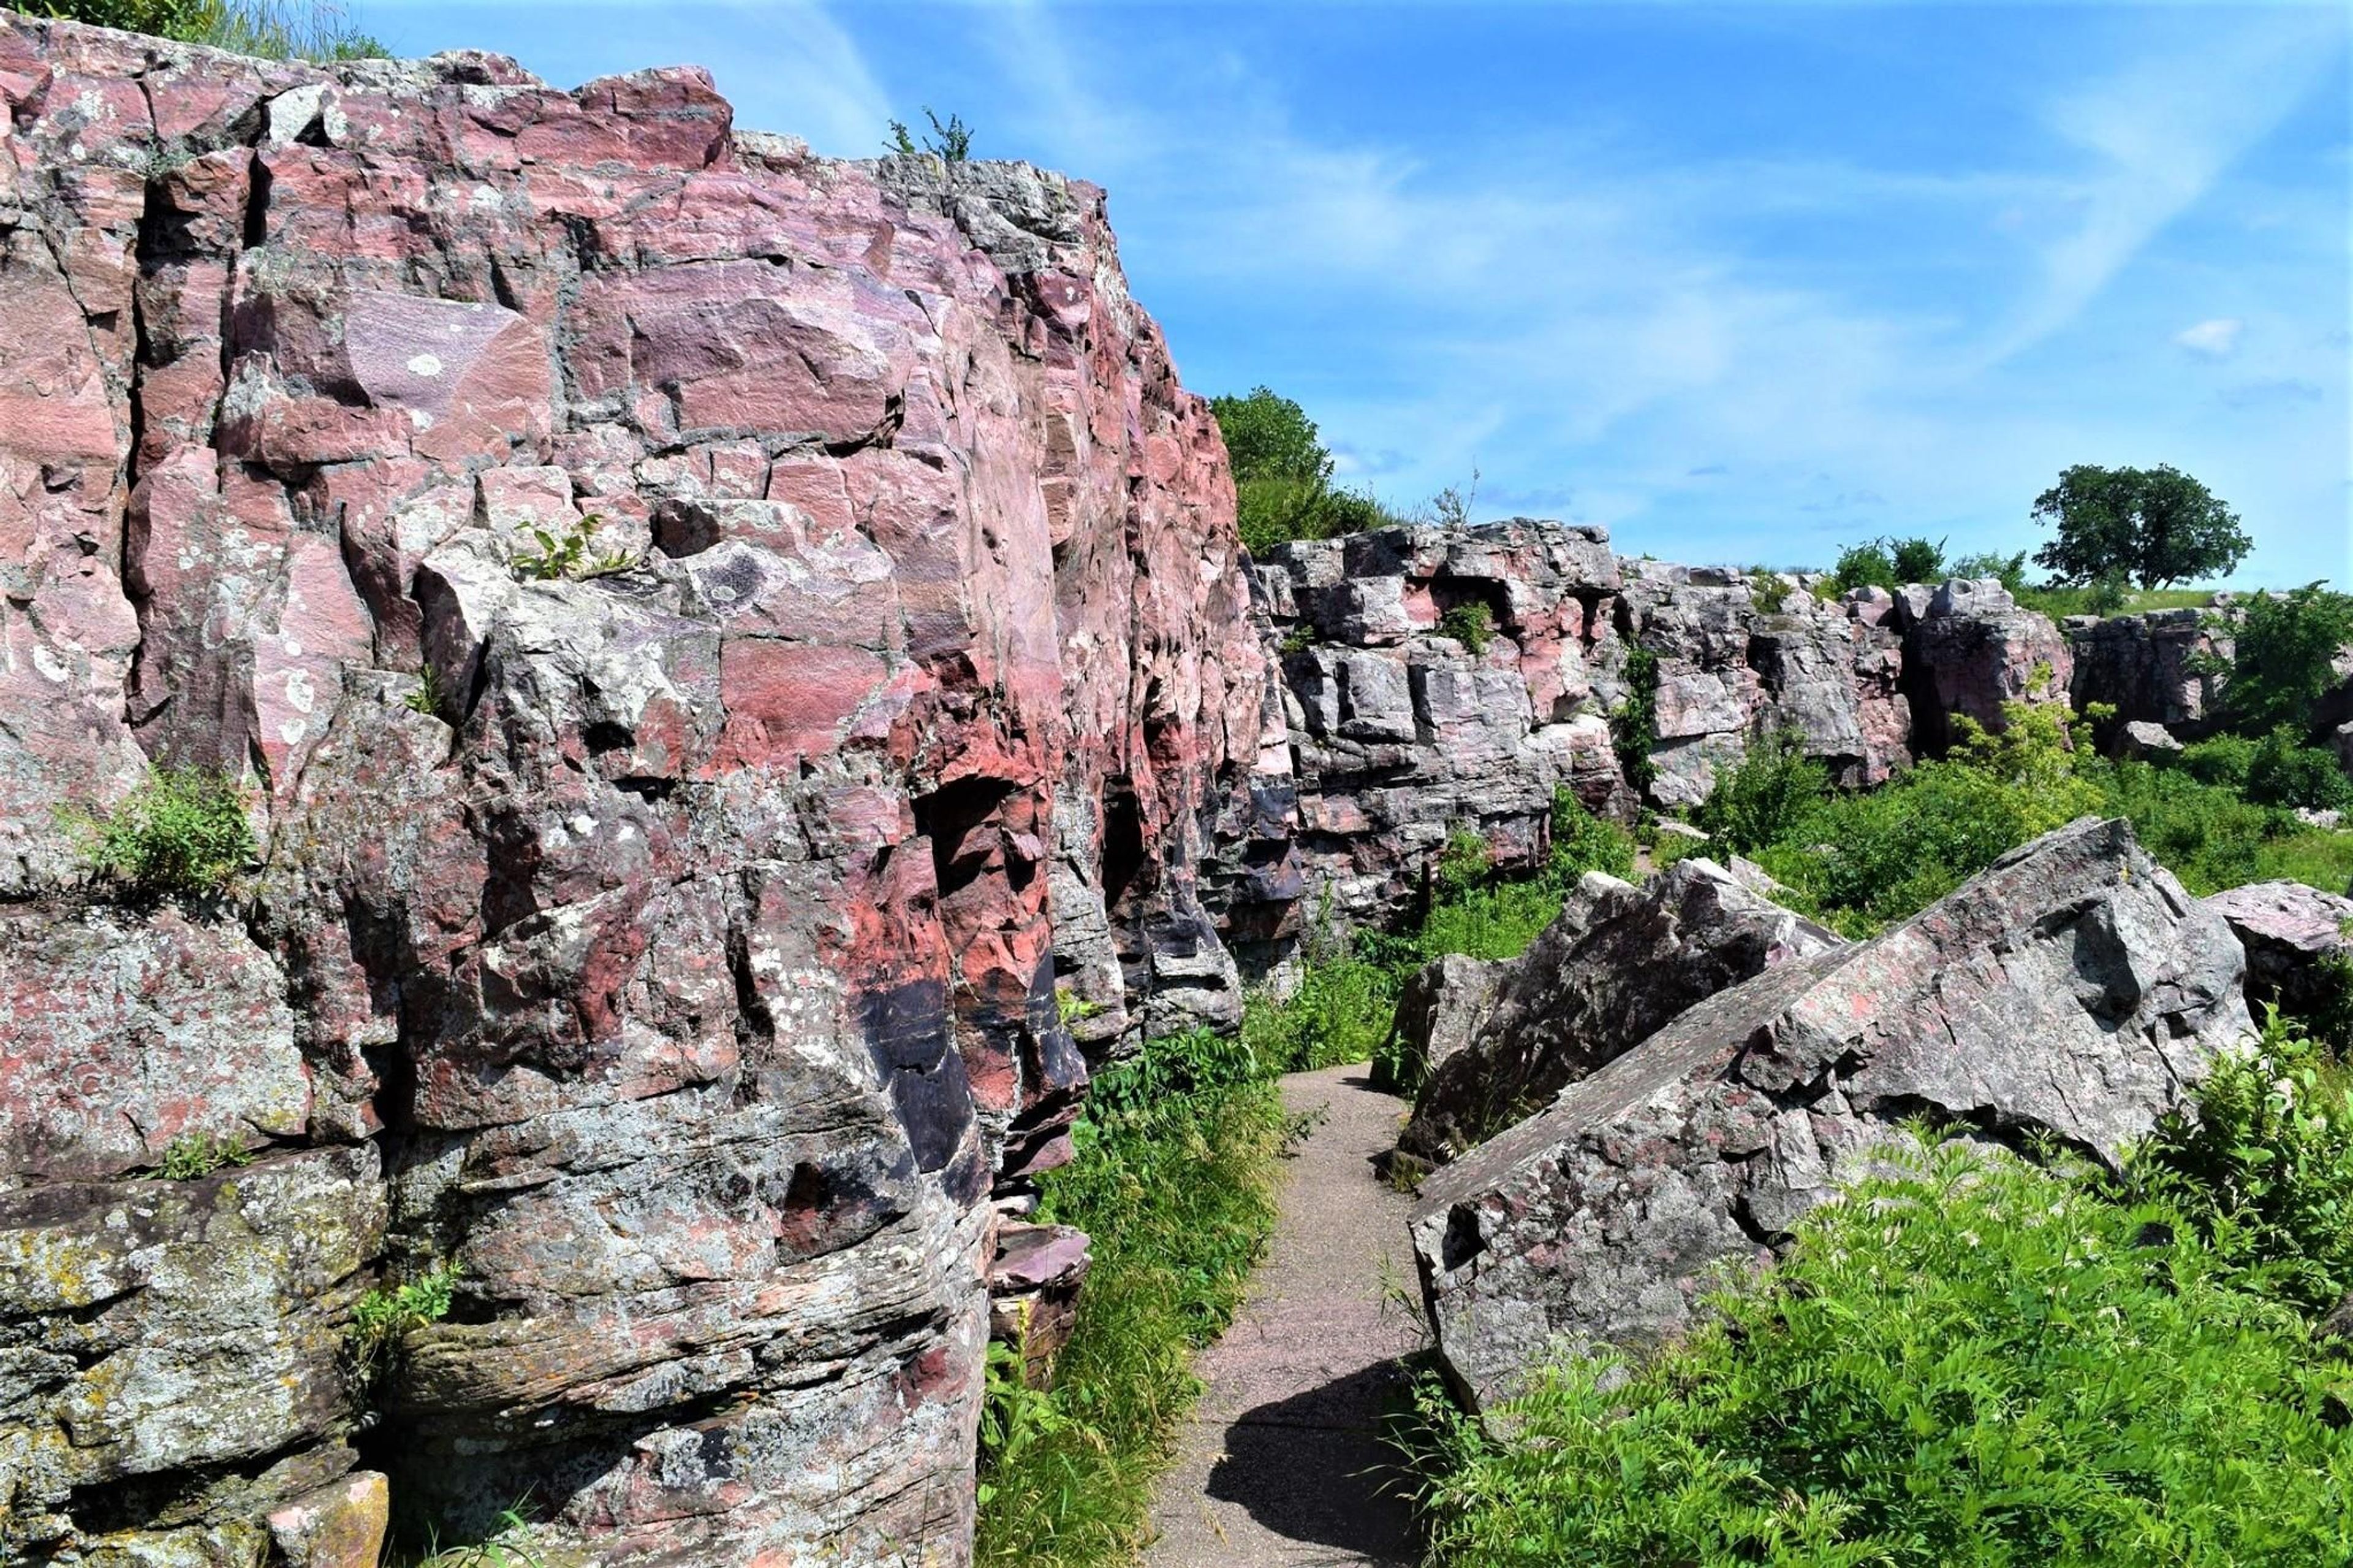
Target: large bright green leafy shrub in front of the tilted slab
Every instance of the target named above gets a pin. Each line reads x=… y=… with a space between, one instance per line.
x=1971 y=1362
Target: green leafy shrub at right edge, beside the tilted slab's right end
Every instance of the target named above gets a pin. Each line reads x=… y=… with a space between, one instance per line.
x=2265 y=1169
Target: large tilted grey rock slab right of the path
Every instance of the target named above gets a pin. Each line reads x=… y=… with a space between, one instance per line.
x=2072 y=990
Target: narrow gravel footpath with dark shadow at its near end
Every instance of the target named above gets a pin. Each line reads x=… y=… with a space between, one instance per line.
x=1284 y=1463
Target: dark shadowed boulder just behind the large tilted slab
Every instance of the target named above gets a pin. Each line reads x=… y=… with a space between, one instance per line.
x=1608 y=974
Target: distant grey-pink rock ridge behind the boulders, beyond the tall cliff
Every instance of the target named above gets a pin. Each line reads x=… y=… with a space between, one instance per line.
x=1404 y=733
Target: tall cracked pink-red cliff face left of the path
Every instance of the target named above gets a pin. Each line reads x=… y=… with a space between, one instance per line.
x=674 y=948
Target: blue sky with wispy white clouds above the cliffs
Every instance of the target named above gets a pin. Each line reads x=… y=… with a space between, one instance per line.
x=1742 y=284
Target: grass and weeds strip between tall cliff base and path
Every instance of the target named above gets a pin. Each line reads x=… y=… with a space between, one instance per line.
x=1178 y=1200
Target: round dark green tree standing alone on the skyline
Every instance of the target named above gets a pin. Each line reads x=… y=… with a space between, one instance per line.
x=2154 y=526
